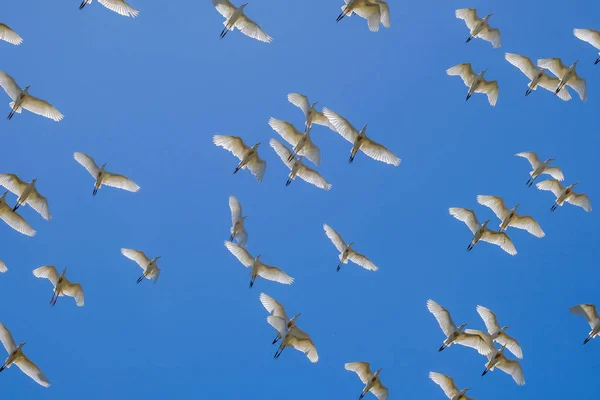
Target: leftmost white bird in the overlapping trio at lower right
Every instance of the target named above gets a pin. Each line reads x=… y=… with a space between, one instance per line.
x=466 y=337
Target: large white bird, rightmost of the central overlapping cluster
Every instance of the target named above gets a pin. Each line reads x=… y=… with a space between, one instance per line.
x=359 y=140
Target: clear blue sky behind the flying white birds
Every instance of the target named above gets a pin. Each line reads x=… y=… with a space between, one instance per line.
x=147 y=95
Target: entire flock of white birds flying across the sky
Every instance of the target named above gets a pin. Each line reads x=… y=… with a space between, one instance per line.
x=376 y=12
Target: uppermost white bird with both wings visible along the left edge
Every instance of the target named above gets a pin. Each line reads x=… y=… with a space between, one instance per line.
x=23 y=100
